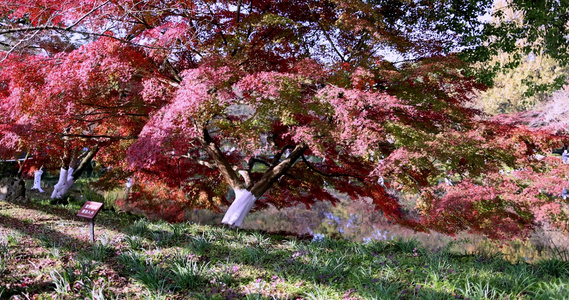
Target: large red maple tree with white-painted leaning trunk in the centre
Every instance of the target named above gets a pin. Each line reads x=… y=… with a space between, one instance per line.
x=280 y=102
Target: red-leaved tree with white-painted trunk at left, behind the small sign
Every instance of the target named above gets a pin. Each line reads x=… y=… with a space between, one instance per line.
x=65 y=111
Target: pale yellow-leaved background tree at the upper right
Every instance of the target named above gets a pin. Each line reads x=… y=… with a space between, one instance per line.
x=524 y=78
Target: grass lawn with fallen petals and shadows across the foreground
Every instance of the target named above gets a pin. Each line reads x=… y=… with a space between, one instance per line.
x=45 y=253
